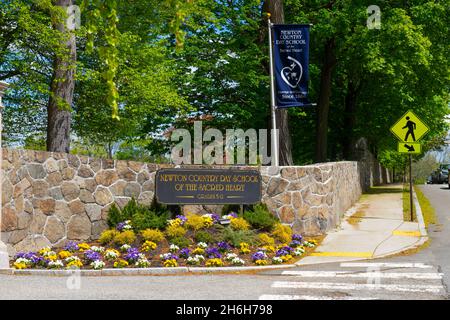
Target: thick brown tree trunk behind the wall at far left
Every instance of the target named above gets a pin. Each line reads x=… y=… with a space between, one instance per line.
x=61 y=91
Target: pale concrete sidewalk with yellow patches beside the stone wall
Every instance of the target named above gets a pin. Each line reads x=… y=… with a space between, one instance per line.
x=373 y=228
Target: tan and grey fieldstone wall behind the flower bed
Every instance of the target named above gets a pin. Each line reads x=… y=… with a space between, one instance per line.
x=50 y=198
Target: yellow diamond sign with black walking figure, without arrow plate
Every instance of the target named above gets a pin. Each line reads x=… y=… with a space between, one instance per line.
x=409 y=128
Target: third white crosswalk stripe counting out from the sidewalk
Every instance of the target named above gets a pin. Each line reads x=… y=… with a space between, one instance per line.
x=357 y=286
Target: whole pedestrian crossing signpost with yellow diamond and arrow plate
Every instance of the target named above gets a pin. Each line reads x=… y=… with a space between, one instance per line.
x=409 y=129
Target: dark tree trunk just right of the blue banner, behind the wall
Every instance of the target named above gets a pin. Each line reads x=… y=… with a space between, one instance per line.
x=323 y=106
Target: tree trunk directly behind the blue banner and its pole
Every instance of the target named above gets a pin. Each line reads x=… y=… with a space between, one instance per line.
x=276 y=10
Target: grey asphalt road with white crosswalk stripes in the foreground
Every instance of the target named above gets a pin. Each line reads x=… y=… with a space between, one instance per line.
x=425 y=275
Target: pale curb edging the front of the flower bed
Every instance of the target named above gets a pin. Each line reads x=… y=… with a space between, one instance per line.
x=139 y=271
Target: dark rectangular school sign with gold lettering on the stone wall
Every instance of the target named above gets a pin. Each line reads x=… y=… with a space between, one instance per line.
x=208 y=186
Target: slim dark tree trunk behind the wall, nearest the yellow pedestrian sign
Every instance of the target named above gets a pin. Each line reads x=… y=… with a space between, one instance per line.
x=348 y=139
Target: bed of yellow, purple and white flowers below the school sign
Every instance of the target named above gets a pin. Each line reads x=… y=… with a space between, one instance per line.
x=177 y=245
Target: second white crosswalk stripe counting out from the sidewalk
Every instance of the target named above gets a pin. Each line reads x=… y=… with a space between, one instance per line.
x=346 y=274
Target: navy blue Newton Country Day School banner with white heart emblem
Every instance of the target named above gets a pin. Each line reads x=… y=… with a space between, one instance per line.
x=291 y=59
